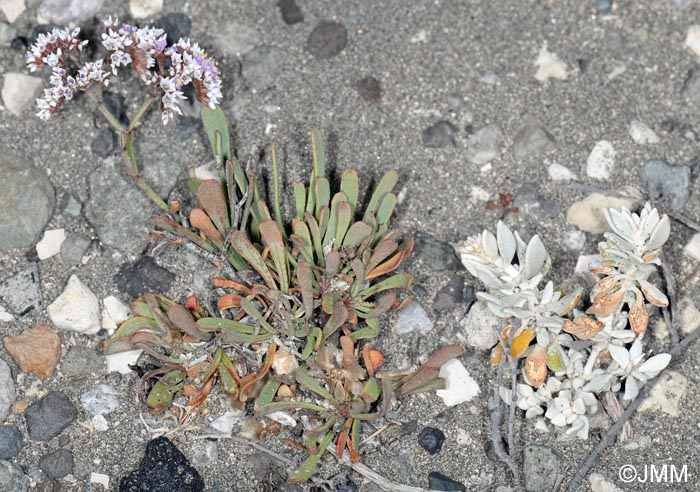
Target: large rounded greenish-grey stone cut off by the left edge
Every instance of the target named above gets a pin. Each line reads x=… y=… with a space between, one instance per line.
x=27 y=202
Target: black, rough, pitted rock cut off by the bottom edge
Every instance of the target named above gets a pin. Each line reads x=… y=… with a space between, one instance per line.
x=163 y=468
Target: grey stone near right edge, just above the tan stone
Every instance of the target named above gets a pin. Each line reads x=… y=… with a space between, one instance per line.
x=669 y=184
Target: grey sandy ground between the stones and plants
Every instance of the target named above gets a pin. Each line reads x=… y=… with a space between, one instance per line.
x=429 y=56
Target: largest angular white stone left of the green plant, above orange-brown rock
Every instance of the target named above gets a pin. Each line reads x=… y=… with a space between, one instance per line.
x=76 y=309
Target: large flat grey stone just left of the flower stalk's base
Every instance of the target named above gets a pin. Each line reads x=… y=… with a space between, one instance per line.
x=117 y=209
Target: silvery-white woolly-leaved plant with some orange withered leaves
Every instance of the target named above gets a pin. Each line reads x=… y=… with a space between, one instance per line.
x=572 y=358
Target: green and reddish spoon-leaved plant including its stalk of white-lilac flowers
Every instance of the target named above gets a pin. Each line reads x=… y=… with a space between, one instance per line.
x=300 y=299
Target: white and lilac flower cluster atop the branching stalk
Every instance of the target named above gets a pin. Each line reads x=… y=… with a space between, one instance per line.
x=166 y=68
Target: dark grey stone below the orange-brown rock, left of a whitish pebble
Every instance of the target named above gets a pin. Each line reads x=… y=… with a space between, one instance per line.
x=49 y=416
